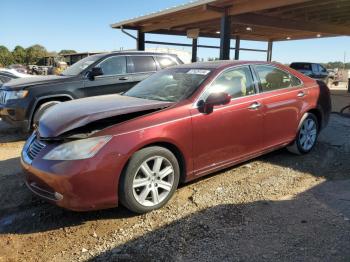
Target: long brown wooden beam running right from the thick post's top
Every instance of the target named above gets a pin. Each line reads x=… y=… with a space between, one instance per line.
x=297 y=25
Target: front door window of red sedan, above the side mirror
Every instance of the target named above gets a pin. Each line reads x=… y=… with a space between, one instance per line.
x=236 y=82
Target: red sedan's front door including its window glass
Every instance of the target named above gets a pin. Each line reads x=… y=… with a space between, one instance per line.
x=231 y=131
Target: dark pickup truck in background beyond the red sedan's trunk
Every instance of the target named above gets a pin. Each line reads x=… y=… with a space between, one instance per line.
x=313 y=70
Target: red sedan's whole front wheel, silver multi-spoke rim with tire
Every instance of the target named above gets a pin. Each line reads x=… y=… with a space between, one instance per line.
x=149 y=180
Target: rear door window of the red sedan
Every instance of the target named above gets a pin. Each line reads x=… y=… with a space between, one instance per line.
x=272 y=78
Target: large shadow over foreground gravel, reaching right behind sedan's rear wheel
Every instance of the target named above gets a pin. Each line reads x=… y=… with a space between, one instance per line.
x=313 y=226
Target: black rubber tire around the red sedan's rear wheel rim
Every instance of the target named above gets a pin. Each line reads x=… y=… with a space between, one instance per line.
x=297 y=147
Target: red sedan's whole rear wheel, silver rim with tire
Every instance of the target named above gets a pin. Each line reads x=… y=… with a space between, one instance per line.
x=307 y=135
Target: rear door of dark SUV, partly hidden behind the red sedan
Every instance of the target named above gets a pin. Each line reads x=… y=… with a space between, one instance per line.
x=141 y=66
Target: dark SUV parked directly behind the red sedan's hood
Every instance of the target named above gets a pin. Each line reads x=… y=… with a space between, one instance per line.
x=23 y=101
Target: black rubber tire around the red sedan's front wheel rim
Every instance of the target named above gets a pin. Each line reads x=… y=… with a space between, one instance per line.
x=126 y=191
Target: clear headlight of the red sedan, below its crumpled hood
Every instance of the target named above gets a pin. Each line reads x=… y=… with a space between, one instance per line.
x=79 y=149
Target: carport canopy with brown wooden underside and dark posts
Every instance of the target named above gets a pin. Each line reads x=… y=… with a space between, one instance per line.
x=260 y=20
